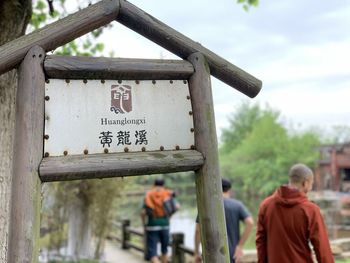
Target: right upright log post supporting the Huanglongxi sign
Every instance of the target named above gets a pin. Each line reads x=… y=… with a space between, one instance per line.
x=208 y=180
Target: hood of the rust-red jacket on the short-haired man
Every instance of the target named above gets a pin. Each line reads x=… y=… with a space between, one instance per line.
x=289 y=197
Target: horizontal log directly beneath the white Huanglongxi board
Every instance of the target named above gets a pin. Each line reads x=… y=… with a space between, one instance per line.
x=118 y=164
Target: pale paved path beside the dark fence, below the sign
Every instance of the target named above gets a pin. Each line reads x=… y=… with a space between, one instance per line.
x=114 y=254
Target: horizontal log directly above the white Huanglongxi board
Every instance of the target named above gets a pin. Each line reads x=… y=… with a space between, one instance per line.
x=66 y=67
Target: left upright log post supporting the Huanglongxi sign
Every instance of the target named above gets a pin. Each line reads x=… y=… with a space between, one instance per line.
x=28 y=152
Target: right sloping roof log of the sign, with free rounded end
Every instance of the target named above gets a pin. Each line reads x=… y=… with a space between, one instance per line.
x=175 y=42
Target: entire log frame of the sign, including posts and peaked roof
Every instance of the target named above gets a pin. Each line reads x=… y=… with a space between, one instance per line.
x=25 y=207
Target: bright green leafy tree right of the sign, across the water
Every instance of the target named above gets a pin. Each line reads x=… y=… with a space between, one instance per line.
x=263 y=151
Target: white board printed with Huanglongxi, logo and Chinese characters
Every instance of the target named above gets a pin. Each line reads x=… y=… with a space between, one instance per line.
x=94 y=116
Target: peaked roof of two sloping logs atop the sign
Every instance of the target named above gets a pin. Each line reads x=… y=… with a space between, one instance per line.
x=75 y=25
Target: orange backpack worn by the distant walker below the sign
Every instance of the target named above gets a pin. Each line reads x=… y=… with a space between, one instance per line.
x=160 y=202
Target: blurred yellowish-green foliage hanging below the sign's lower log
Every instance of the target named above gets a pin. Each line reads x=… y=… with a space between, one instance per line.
x=102 y=199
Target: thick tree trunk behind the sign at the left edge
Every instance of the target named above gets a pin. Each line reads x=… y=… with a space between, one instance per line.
x=14 y=17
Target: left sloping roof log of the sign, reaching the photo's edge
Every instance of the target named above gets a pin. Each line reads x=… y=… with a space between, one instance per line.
x=59 y=33
